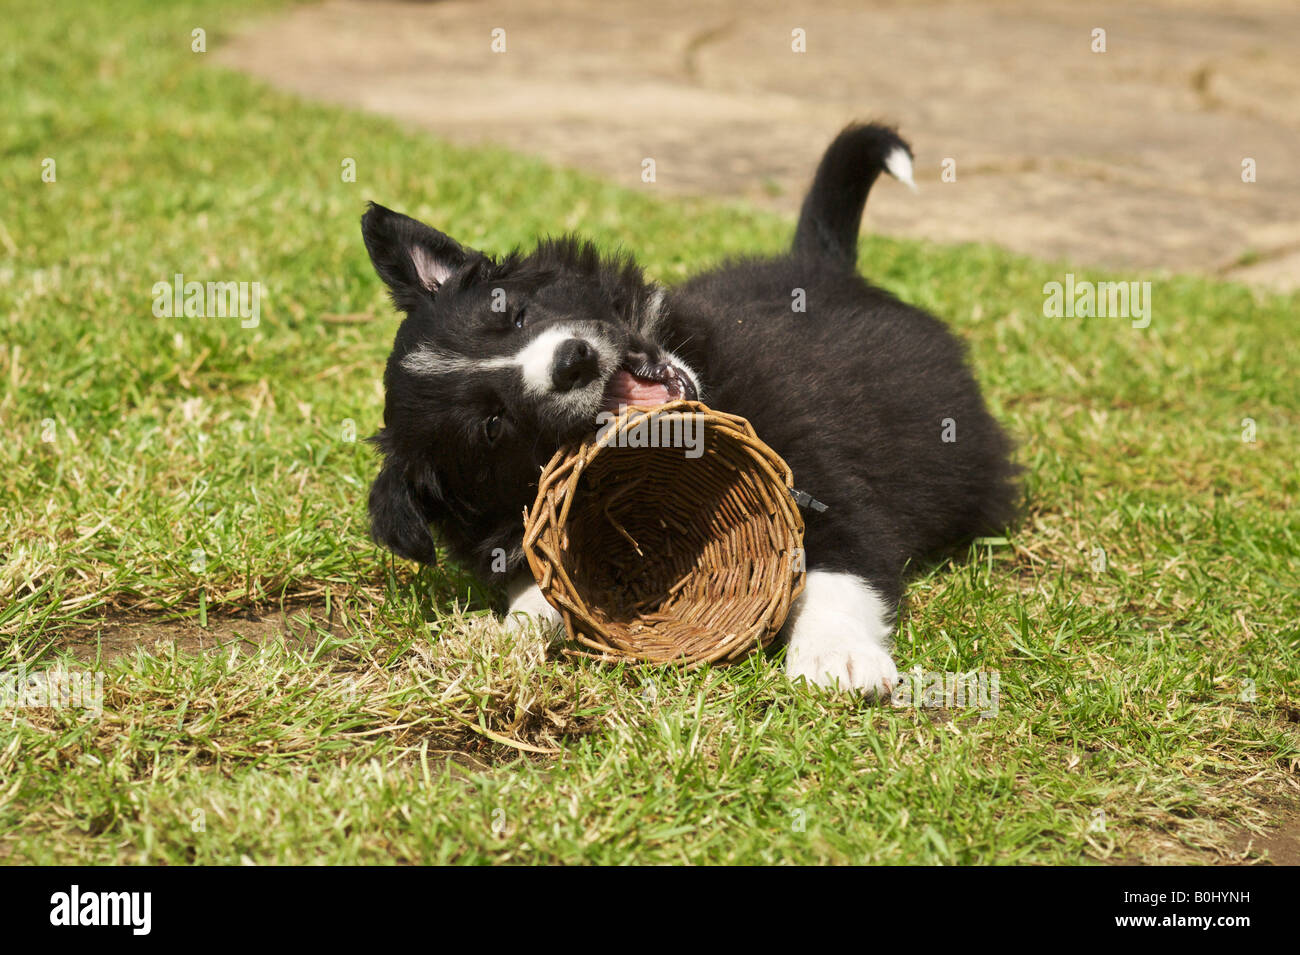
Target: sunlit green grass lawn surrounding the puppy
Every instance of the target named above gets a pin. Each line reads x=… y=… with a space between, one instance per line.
x=396 y=723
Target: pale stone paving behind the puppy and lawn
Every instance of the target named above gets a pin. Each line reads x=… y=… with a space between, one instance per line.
x=1129 y=159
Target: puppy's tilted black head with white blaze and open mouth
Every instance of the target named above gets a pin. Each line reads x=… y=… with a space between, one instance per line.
x=496 y=366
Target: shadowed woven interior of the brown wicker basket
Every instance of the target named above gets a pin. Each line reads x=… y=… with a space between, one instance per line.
x=673 y=552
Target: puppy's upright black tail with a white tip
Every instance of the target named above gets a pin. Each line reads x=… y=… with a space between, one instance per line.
x=833 y=211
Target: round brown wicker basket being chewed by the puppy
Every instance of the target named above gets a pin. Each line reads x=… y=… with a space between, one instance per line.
x=653 y=555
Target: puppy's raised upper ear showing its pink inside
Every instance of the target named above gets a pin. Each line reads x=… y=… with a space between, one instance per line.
x=413 y=259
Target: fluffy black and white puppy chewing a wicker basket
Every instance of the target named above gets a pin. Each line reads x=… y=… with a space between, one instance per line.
x=870 y=401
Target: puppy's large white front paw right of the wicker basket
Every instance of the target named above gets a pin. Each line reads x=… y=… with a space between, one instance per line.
x=839 y=636
